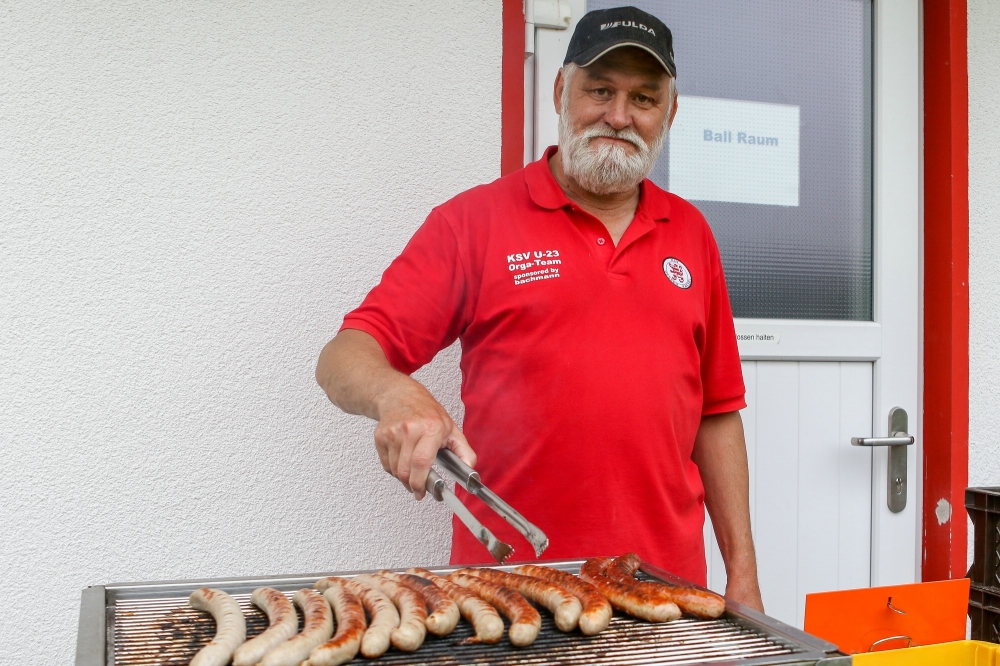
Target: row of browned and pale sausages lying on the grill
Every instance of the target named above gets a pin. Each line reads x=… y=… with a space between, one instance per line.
x=402 y=608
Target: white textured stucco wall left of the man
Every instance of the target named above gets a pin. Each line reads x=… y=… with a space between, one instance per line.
x=193 y=194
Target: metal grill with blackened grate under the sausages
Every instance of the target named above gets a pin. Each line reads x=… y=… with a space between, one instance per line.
x=142 y=624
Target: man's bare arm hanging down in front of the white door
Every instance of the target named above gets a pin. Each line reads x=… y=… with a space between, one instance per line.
x=721 y=455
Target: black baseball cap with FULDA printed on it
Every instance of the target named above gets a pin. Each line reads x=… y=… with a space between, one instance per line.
x=604 y=30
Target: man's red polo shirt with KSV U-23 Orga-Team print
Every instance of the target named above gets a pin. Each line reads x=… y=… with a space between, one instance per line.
x=586 y=367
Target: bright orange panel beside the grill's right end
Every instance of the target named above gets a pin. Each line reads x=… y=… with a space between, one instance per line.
x=861 y=620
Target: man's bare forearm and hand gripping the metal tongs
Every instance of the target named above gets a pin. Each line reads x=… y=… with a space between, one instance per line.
x=412 y=425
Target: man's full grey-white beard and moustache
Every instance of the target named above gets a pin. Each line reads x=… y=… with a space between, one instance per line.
x=606 y=169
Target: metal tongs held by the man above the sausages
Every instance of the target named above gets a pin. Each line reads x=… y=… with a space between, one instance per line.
x=469 y=479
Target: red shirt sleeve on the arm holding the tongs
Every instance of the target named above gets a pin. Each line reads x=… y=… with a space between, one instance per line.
x=419 y=307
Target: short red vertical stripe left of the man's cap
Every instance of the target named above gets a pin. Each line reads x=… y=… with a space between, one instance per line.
x=512 y=88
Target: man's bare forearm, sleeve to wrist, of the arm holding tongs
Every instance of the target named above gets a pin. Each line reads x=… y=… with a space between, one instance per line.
x=356 y=375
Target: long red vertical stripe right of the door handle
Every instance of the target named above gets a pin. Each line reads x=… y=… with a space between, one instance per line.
x=946 y=287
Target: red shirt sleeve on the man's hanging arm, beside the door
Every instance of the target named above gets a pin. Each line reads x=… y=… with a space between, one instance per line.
x=721 y=371
